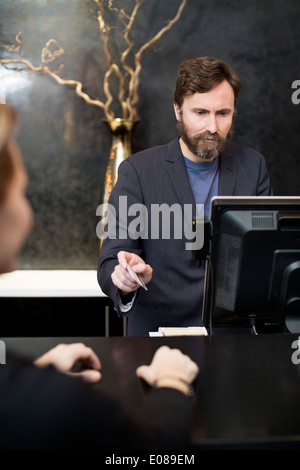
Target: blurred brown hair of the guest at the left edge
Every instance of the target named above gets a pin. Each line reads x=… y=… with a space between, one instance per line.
x=8 y=119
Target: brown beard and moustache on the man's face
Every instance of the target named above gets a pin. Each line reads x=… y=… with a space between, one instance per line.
x=198 y=145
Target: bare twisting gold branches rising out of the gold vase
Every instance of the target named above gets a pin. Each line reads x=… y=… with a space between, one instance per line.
x=127 y=74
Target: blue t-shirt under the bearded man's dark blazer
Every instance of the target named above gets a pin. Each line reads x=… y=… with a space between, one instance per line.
x=204 y=179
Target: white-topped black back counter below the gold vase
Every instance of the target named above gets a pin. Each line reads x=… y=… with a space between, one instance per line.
x=51 y=302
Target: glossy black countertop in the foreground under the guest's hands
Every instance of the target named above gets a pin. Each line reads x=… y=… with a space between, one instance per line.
x=247 y=395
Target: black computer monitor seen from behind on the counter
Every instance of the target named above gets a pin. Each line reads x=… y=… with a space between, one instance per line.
x=253 y=266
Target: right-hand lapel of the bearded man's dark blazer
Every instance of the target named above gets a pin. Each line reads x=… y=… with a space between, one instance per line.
x=227 y=172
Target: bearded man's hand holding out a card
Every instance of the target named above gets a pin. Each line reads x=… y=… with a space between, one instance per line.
x=121 y=277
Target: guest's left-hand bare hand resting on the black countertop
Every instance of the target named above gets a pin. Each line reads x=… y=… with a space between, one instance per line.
x=64 y=356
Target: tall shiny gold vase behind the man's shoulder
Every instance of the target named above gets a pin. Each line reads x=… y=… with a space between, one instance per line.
x=121 y=132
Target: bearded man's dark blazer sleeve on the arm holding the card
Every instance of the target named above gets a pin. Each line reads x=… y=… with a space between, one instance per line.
x=126 y=192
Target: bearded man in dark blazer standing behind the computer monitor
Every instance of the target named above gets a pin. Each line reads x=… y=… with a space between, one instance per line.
x=187 y=172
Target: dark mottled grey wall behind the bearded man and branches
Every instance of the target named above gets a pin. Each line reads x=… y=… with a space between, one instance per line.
x=64 y=141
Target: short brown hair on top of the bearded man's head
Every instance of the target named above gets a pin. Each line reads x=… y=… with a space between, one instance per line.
x=202 y=74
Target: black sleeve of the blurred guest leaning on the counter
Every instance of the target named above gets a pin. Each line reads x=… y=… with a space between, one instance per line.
x=43 y=409
